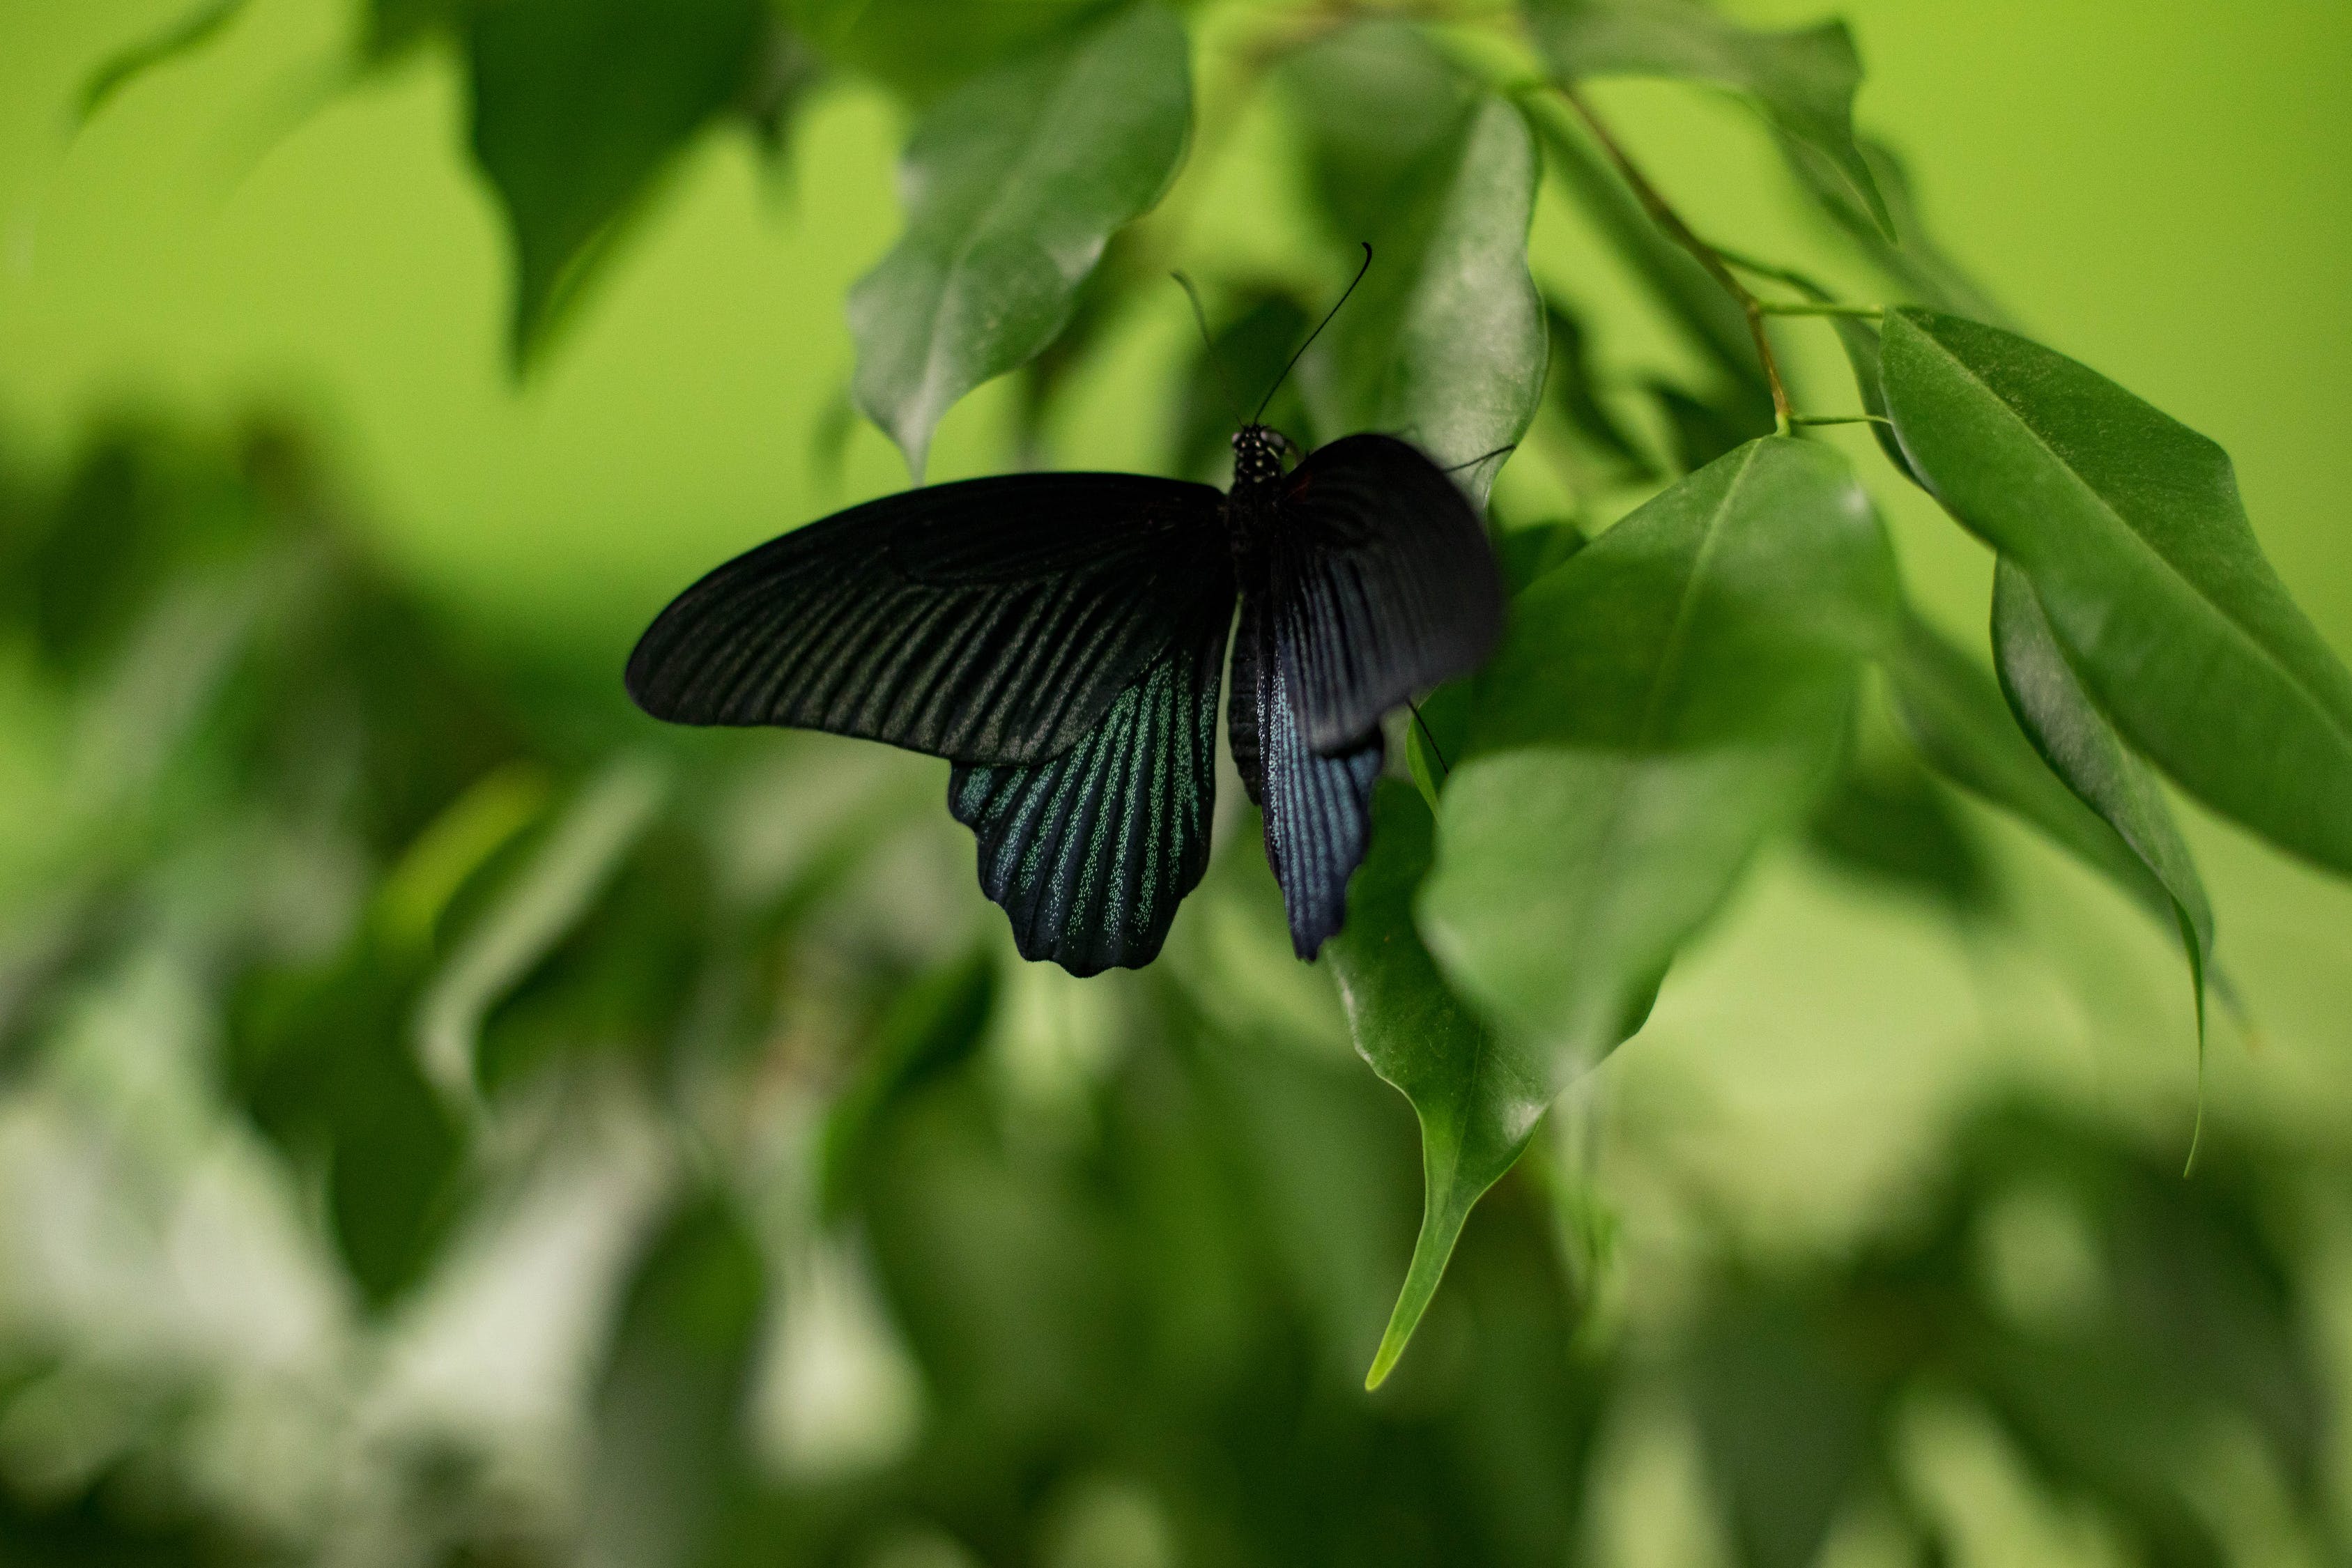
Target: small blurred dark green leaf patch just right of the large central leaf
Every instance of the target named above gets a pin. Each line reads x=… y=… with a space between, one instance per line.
x=1890 y=822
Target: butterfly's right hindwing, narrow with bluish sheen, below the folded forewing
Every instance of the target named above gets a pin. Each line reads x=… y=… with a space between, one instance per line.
x=1318 y=810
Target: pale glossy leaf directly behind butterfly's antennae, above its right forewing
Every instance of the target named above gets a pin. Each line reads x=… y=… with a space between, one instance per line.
x=1445 y=340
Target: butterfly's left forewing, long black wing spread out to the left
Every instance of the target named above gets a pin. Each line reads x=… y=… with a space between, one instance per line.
x=989 y=622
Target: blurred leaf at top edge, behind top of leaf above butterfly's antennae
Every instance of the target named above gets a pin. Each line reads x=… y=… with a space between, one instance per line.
x=1375 y=100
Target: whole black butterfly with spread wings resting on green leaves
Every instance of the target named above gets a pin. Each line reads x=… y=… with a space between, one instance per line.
x=1060 y=638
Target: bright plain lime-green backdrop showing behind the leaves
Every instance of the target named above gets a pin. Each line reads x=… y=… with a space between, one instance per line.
x=2158 y=192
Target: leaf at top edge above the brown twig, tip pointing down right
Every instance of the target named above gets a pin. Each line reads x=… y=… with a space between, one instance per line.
x=1800 y=81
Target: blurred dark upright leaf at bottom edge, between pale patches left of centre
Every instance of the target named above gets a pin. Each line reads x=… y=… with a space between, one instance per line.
x=669 y=1412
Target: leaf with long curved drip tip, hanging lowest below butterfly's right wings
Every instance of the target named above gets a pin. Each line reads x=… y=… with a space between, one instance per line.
x=1476 y=1092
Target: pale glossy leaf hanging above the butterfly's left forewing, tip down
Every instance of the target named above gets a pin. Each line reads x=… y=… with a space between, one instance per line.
x=1013 y=189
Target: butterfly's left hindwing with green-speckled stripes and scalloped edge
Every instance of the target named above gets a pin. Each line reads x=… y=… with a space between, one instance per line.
x=1093 y=852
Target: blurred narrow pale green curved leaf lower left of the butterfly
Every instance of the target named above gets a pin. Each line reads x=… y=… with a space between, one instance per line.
x=530 y=916
